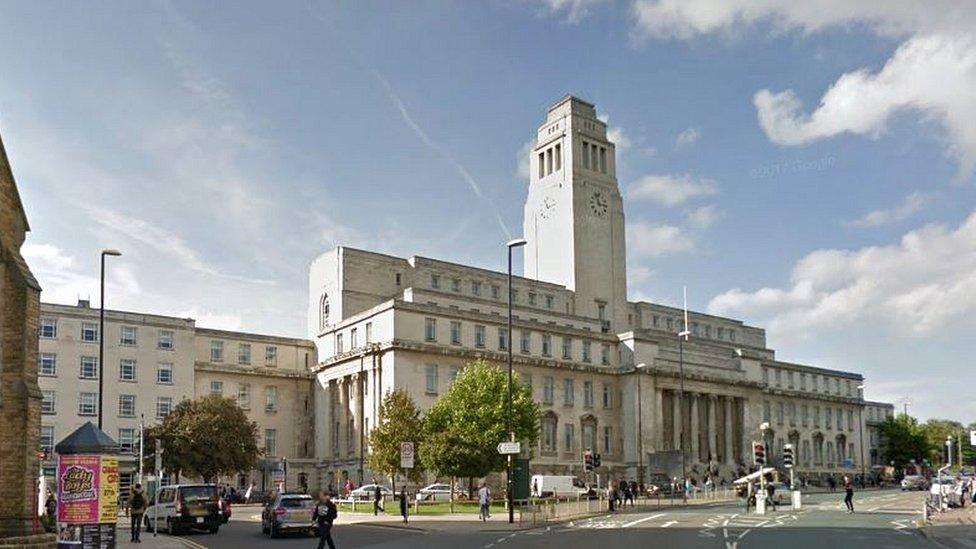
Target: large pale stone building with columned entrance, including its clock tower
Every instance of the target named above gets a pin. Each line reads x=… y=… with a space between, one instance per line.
x=381 y=322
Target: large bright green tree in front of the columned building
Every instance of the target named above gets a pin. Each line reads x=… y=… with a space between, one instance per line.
x=464 y=427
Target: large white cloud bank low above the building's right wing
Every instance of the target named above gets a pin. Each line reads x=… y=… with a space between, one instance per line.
x=916 y=286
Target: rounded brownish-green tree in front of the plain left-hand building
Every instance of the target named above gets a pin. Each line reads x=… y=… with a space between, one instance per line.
x=207 y=437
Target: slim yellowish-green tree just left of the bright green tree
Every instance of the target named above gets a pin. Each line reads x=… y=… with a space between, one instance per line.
x=400 y=423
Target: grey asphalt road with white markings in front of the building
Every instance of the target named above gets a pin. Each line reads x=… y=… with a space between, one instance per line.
x=883 y=519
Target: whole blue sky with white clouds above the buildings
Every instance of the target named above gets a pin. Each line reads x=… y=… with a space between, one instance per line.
x=807 y=167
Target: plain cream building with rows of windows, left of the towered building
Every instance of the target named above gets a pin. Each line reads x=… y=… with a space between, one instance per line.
x=152 y=362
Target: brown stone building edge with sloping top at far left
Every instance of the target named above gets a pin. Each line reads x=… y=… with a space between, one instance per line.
x=20 y=398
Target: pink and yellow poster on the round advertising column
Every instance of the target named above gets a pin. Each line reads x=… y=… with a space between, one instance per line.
x=78 y=488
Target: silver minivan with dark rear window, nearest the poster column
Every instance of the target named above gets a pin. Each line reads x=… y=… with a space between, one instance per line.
x=183 y=507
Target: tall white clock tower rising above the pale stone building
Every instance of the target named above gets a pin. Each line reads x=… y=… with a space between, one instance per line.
x=574 y=218
